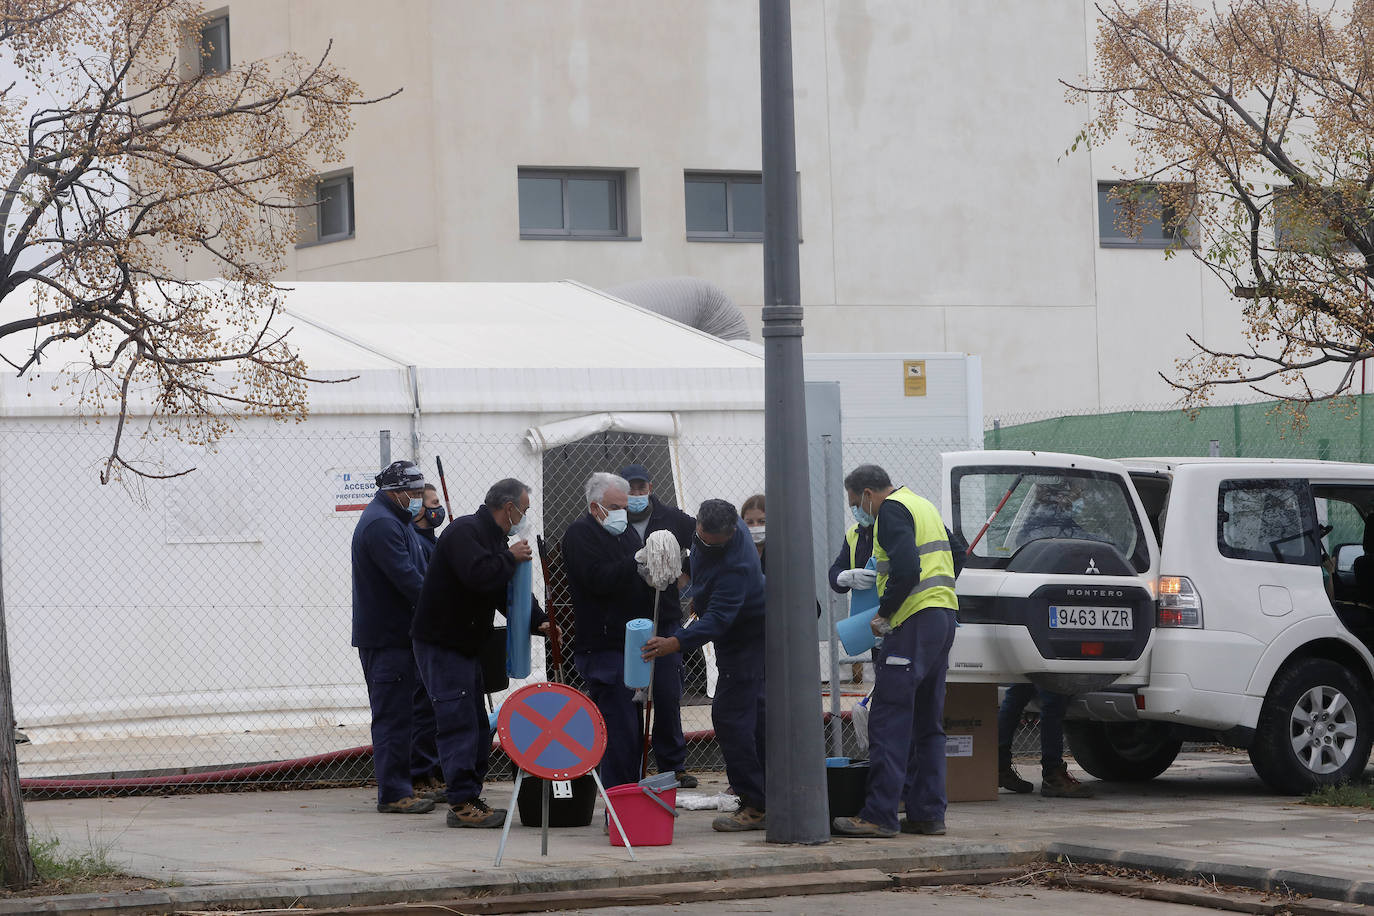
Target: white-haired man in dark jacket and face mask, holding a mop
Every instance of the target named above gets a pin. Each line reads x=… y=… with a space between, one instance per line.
x=608 y=593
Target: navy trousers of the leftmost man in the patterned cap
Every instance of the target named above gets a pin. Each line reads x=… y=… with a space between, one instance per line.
x=403 y=723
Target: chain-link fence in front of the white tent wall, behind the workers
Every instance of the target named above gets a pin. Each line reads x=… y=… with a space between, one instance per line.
x=194 y=632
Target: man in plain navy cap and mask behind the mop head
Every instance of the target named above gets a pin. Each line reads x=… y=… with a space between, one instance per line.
x=649 y=514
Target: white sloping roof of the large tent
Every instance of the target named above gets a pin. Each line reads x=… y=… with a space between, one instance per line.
x=471 y=348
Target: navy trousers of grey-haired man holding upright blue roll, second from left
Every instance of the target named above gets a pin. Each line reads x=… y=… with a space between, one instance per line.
x=464 y=733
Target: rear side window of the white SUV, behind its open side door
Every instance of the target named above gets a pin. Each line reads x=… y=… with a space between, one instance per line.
x=1273 y=521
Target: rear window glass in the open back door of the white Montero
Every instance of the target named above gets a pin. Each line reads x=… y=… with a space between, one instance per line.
x=1039 y=503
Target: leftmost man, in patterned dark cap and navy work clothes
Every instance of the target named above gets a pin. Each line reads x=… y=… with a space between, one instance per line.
x=388 y=573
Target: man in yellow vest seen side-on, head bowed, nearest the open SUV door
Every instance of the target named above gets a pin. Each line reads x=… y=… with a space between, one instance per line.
x=916 y=621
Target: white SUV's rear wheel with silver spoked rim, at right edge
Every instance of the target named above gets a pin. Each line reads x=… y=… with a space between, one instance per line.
x=1316 y=729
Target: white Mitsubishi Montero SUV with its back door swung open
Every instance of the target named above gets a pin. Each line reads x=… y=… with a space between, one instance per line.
x=1175 y=599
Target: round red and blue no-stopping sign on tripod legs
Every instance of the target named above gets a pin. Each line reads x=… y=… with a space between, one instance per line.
x=556 y=734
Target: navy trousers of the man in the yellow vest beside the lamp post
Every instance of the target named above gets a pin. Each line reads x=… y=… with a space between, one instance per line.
x=906 y=720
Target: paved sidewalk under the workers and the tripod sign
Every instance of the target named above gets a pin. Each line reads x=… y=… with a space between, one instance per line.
x=1208 y=810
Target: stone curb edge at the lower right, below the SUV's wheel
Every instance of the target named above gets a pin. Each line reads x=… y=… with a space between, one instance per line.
x=1265 y=880
